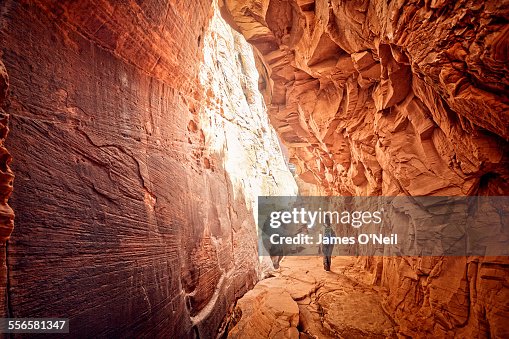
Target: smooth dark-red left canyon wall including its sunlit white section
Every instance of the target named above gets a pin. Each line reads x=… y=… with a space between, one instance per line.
x=133 y=213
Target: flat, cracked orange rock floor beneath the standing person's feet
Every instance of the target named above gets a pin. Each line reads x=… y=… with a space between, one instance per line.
x=302 y=300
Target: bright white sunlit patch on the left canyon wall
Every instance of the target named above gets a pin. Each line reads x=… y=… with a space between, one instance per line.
x=234 y=118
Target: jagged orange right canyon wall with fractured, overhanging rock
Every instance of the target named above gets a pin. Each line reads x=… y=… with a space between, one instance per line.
x=390 y=98
